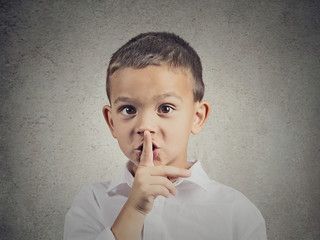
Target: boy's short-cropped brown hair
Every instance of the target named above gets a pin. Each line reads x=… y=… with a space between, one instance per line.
x=157 y=48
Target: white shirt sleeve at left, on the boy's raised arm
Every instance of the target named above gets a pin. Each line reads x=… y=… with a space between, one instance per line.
x=81 y=221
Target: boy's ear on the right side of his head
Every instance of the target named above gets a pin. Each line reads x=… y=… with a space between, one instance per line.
x=202 y=111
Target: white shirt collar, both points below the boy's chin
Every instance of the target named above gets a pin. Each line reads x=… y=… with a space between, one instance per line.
x=198 y=177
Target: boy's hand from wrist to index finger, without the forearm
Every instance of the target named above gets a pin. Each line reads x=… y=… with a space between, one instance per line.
x=151 y=181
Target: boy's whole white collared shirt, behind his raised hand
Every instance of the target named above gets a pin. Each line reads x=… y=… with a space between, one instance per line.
x=203 y=209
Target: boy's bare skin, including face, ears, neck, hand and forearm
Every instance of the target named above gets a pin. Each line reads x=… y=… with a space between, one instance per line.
x=152 y=107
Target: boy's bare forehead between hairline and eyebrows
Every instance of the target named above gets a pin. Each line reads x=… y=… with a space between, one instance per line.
x=150 y=82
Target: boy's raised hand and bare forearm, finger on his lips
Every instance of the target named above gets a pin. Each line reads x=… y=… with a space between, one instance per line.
x=150 y=181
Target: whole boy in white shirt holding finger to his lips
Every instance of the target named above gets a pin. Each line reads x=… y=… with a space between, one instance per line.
x=155 y=90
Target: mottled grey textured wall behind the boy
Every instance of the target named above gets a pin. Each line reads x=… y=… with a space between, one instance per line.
x=261 y=68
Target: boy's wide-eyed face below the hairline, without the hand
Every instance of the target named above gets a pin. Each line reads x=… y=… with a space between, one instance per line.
x=158 y=99
